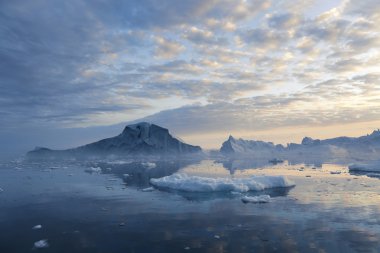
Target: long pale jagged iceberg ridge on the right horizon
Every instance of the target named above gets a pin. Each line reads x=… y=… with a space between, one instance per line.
x=364 y=147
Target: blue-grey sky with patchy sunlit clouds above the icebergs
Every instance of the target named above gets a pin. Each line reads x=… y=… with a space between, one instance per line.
x=75 y=71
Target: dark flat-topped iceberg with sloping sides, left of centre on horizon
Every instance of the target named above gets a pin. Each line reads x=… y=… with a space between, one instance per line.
x=138 y=139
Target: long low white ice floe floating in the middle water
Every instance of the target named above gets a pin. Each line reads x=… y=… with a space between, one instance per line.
x=184 y=182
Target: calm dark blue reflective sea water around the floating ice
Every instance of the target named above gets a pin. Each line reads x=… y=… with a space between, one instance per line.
x=108 y=206
